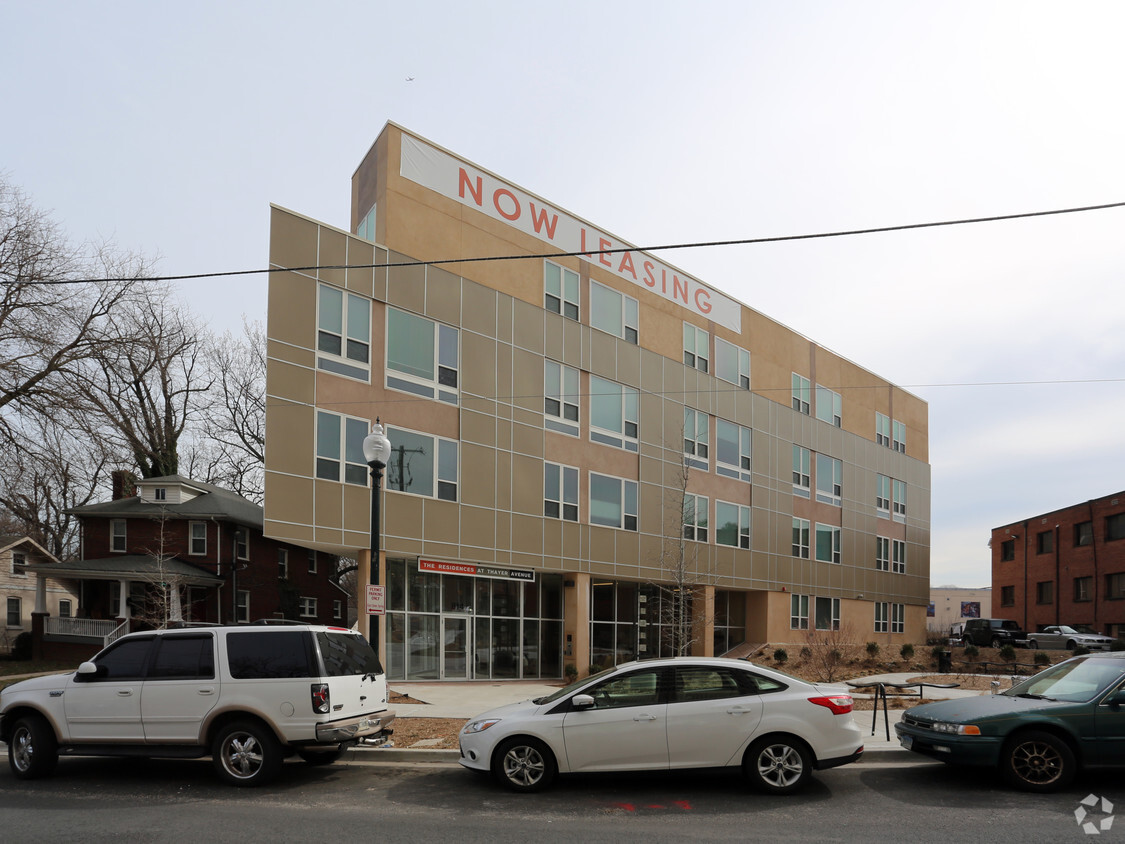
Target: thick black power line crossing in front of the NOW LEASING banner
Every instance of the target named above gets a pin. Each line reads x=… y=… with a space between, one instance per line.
x=701 y=245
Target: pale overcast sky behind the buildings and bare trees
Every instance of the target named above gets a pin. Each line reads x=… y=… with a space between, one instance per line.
x=172 y=128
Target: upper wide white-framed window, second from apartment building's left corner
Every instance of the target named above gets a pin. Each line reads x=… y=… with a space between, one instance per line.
x=422 y=357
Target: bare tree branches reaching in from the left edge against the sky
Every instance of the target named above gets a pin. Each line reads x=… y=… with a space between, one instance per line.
x=51 y=316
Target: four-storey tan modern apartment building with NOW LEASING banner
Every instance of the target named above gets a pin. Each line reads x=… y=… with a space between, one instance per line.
x=596 y=456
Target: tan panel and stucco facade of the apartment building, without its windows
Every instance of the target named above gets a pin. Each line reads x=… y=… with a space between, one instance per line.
x=507 y=343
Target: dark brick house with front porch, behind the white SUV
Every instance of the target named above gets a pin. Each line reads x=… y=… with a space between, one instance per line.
x=173 y=550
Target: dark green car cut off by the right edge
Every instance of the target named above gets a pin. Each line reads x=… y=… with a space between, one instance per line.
x=1040 y=733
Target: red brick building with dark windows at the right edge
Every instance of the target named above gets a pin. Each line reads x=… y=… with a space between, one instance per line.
x=1065 y=568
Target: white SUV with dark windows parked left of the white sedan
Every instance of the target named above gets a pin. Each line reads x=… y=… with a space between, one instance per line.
x=247 y=696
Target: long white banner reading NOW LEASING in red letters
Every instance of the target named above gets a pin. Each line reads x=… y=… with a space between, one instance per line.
x=455 y=179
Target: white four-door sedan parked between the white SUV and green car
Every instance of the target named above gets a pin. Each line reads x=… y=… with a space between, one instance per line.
x=670 y=714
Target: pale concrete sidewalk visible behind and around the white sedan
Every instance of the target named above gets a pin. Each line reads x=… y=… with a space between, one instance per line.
x=470 y=699
